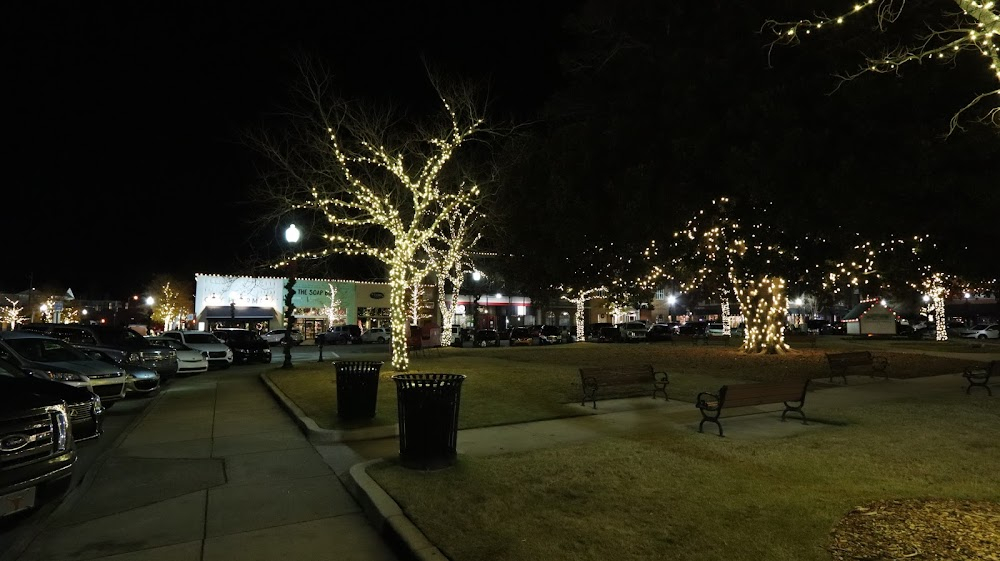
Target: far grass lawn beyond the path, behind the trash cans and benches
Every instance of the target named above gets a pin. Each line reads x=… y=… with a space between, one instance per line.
x=512 y=385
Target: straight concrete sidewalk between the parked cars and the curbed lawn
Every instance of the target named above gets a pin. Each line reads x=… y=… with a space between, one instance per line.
x=214 y=470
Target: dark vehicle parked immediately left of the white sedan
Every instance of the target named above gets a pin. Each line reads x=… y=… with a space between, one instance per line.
x=128 y=346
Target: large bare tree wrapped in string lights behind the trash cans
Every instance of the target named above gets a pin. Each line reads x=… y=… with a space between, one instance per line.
x=375 y=182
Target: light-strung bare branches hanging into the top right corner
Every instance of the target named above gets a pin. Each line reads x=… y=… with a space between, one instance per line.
x=938 y=35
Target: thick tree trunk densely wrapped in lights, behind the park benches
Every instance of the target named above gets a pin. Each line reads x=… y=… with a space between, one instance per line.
x=764 y=306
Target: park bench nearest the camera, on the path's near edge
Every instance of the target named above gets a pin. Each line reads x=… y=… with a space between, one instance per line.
x=745 y=395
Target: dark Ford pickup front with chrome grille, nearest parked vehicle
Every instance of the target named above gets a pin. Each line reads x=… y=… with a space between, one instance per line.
x=37 y=449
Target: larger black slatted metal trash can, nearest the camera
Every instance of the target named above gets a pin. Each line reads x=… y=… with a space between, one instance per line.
x=428 y=418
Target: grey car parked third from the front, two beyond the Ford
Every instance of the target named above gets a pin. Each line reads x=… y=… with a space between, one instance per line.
x=55 y=359
